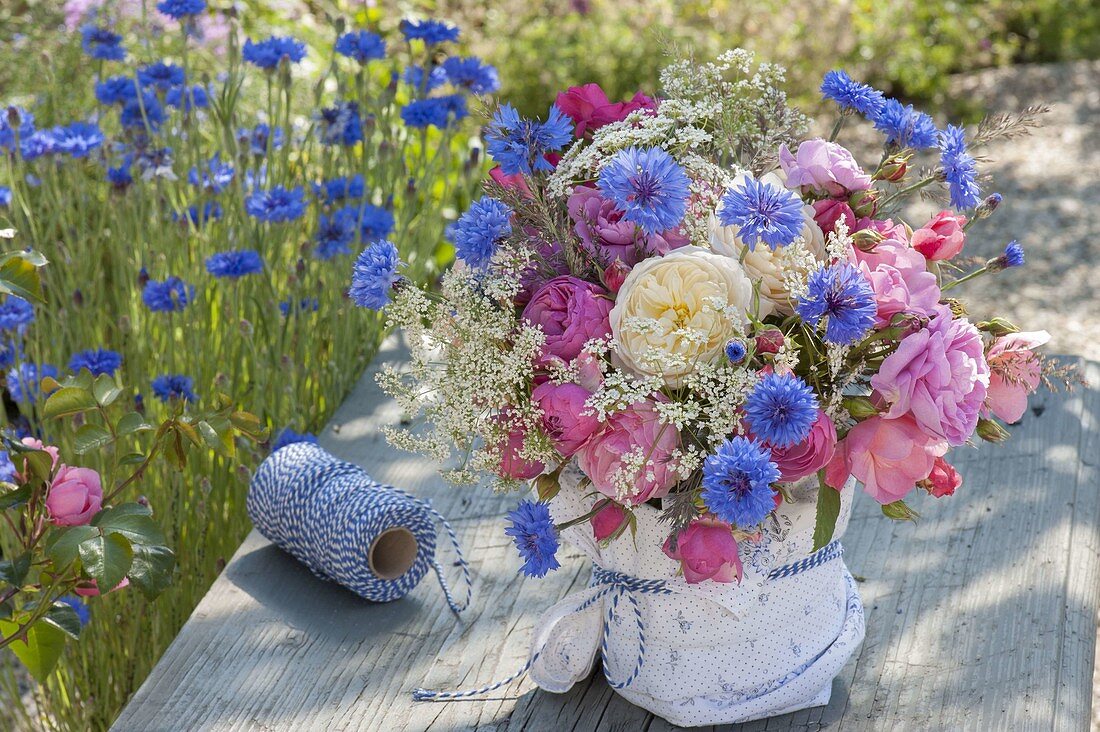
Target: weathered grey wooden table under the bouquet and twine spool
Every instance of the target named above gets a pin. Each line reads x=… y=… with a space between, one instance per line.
x=981 y=616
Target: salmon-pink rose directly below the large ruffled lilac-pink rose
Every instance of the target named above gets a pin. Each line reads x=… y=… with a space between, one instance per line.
x=887 y=456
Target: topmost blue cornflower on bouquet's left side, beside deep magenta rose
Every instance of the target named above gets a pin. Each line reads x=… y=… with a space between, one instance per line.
x=520 y=146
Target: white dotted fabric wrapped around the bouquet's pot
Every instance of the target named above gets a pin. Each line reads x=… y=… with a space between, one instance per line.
x=710 y=653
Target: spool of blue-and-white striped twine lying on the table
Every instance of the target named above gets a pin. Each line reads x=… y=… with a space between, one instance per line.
x=327 y=514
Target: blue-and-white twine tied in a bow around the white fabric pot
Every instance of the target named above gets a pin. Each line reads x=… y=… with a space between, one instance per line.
x=619 y=585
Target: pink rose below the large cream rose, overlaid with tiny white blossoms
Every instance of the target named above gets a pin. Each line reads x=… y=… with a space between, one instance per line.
x=634 y=431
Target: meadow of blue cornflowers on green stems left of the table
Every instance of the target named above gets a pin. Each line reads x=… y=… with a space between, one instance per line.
x=200 y=221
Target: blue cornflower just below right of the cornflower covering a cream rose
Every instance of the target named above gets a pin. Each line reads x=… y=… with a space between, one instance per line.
x=843 y=296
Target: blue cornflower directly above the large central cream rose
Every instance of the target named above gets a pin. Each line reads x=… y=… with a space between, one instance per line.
x=648 y=187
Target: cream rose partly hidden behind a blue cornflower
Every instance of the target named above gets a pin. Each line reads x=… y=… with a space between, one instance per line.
x=775 y=270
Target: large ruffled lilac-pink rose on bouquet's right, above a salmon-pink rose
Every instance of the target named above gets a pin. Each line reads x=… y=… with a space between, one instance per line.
x=940 y=376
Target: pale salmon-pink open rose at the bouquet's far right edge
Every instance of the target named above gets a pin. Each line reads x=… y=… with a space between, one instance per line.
x=1015 y=374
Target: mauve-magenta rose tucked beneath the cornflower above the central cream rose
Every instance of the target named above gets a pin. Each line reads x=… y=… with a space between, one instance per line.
x=608 y=237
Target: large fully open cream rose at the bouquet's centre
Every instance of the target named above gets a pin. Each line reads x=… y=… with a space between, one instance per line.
x=679 y=311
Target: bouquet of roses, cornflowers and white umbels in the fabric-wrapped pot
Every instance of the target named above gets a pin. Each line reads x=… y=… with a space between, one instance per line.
x=679 y=321
